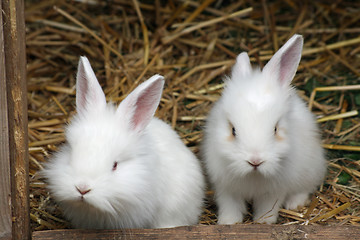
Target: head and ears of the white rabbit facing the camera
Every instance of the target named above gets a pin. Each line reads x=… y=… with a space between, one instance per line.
x=255 y=107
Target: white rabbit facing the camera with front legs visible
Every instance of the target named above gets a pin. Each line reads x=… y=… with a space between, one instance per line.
x=261 y=143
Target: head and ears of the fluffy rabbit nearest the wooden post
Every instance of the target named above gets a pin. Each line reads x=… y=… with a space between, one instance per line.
x=103 y=166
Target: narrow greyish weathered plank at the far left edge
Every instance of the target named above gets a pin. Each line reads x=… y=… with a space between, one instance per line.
x=5 y=184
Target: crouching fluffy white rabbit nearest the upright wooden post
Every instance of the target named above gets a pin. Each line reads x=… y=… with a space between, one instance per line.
x=121 y=167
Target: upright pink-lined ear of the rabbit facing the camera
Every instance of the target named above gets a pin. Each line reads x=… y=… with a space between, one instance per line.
x=284 y=63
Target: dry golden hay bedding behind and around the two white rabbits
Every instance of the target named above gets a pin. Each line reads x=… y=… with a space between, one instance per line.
x=194 y=44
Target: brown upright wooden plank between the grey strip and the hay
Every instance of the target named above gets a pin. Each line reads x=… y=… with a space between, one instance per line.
x=15 y=66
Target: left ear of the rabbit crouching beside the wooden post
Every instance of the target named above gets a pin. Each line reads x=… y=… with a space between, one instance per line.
x=89 y=94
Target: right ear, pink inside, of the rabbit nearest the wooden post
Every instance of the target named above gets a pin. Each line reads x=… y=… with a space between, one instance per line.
x=140 y=105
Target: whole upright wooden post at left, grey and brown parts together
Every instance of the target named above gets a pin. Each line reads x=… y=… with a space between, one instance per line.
x=14 y=166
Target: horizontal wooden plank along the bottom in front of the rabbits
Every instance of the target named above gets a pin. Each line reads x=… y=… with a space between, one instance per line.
x=240 y=231
